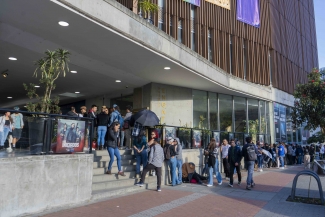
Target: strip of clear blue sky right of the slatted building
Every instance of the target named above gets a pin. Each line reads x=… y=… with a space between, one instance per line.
x=319 y=6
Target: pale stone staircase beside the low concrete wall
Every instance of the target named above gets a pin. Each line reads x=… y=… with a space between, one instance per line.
x=104 y=186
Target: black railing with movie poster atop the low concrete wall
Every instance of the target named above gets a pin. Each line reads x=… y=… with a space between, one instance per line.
x=48 y=134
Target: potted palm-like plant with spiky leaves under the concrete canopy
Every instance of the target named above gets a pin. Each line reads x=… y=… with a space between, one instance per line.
x=53 y=65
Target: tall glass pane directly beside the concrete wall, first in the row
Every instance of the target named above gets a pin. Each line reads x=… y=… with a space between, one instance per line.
x=200 y=109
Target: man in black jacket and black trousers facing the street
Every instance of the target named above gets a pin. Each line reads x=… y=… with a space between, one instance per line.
x=234 y=158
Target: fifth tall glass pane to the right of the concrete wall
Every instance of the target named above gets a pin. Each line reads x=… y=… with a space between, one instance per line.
x=253 y=122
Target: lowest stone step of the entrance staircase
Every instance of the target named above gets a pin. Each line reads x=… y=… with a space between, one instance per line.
x=102 y=194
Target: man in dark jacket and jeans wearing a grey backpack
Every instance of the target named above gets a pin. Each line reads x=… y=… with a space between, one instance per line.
x=249 y=162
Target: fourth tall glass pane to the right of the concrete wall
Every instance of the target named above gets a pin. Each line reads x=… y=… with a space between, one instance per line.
x=240 y=114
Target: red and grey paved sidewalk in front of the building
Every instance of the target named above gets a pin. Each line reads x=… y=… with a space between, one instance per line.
x=268 y=198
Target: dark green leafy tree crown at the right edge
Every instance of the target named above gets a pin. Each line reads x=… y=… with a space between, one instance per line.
x=309 y=106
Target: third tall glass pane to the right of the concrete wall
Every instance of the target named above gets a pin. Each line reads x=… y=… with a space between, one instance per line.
x=225 y=112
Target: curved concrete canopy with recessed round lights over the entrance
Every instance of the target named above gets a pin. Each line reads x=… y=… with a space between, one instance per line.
x=107 y=42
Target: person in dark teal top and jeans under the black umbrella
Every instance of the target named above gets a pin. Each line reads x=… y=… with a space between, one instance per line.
x=140 y=151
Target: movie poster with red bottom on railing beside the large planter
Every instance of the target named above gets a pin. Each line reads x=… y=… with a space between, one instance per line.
x=70 y=136
